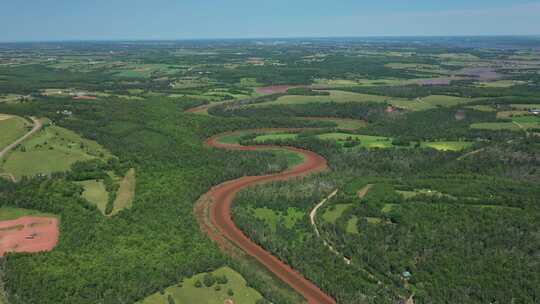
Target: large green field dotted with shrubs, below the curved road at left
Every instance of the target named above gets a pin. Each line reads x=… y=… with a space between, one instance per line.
x=53 y=149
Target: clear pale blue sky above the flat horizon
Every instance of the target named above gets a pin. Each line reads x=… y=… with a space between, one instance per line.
x=187 y=19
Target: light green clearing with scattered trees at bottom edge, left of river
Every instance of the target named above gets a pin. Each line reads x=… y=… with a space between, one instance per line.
x=187 y=293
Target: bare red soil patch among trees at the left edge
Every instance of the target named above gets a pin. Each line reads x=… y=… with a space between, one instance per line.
x=29 y=234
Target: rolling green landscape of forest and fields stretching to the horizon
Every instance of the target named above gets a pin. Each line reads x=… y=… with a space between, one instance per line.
x=413 y=179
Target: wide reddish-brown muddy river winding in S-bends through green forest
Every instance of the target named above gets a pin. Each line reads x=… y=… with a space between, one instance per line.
x=221 y=198
